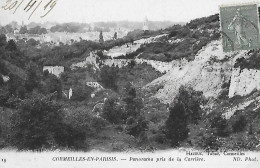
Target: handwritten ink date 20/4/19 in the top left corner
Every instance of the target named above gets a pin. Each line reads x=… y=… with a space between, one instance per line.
x=30 y=6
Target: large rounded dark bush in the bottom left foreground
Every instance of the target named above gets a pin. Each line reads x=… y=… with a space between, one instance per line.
x=39 y=123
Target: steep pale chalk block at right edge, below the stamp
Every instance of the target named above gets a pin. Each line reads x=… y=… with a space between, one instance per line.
x=243 y=82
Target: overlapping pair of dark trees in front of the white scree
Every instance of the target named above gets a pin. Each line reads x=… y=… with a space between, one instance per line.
x=184 y=111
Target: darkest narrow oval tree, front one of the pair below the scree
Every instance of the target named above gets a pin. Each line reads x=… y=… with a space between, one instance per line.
x=176 y=125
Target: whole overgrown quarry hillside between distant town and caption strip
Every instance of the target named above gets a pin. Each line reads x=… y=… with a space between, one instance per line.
x=149 y=90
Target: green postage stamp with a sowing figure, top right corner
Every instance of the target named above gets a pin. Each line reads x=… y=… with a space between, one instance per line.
x=239 y=27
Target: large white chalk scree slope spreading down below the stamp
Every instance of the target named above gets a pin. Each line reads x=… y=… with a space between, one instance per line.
x=207 y=73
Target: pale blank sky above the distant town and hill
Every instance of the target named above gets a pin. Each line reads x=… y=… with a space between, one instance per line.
x=87 y=11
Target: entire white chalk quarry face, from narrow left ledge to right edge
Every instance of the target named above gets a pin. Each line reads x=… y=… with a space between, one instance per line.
x=207 y=73
